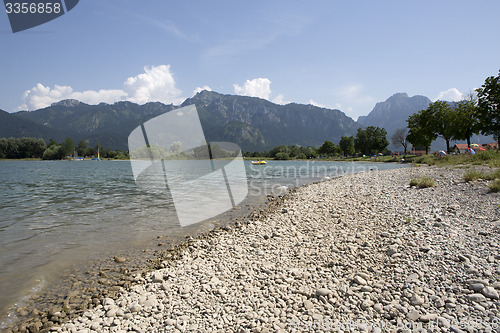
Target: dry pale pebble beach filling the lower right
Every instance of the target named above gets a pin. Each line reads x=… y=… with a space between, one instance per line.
x=361 y=253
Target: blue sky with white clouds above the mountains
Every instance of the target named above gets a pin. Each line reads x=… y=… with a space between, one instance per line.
x=339 y=54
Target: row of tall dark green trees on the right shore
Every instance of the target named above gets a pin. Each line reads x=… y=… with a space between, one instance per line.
x=477 y=113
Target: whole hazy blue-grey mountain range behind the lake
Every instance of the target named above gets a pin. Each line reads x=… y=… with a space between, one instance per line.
x=254 y=124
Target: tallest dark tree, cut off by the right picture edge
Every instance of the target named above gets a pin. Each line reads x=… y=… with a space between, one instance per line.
x=488 y=107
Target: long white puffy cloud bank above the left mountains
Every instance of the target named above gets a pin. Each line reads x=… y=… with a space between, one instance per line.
x=156 y=84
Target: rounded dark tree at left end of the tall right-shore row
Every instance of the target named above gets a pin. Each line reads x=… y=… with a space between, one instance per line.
x=421 y=132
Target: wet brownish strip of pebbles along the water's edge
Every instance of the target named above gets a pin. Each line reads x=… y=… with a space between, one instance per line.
x=77 y=288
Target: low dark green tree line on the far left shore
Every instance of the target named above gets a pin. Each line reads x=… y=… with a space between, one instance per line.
x=19 y=148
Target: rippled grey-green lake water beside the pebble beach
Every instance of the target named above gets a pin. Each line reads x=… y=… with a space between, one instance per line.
x=60 y=212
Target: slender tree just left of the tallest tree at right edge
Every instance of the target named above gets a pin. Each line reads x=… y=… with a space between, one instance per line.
x=466 y=121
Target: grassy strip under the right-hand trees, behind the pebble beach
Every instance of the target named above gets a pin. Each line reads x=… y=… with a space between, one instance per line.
x=489 y=158
